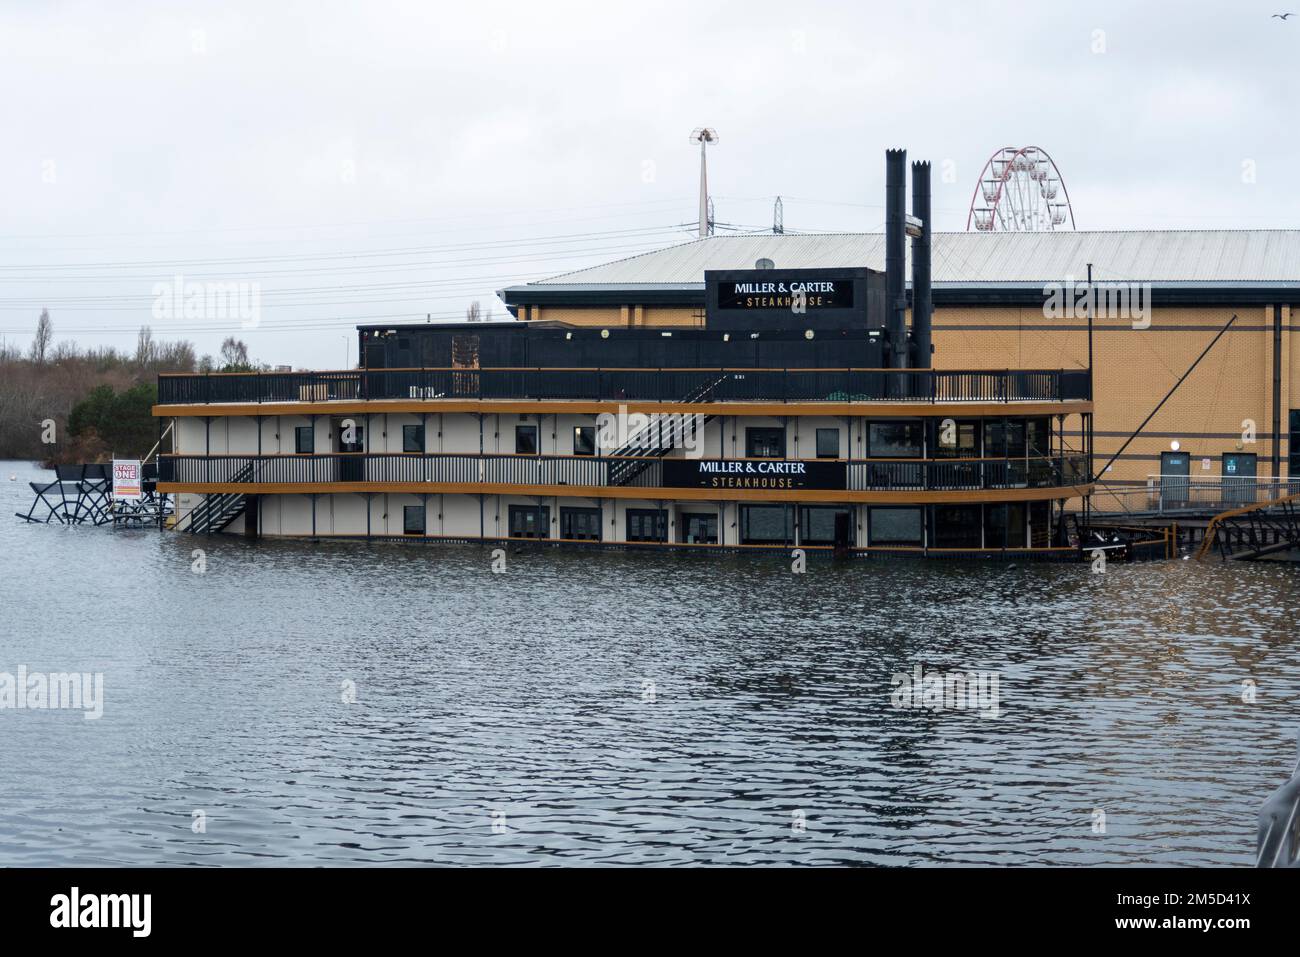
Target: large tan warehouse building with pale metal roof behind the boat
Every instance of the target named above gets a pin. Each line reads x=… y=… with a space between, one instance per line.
x=1007 y=301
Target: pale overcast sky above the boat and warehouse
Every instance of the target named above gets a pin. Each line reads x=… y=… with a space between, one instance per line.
x=375 y=162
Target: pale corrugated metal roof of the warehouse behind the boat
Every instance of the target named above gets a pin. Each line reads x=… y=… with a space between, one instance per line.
x=1211 y=257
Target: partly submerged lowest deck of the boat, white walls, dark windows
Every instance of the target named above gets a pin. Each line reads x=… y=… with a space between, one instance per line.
x=1024 y=526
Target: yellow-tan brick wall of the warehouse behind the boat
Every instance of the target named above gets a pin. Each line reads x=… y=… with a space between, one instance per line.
x=1134 y=370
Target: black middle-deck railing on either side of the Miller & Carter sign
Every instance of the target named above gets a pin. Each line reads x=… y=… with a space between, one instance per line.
x=445 y=469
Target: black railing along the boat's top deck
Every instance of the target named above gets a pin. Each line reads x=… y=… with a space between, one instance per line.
x=634 y=386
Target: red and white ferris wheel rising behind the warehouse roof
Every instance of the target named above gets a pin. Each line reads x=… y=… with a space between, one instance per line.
x=1020 y=190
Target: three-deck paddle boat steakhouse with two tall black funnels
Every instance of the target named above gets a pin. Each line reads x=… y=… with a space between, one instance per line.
x=800 y=409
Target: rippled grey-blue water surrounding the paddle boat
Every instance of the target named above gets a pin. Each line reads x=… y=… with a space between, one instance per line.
x=630 y=708
